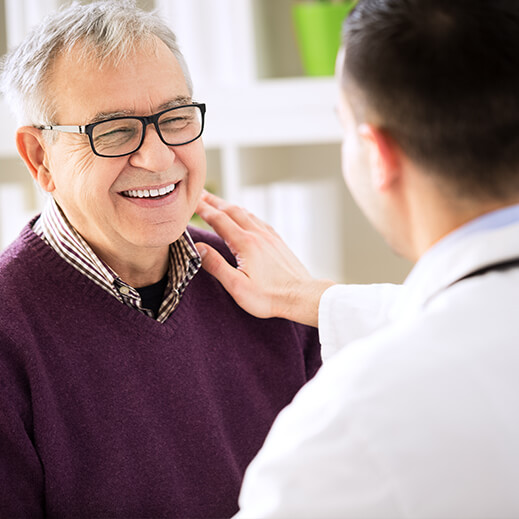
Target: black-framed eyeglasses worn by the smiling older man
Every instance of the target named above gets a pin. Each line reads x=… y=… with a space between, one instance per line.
x=122 y=136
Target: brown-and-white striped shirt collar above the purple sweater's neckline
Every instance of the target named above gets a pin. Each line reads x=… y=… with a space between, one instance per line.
x=184 y=262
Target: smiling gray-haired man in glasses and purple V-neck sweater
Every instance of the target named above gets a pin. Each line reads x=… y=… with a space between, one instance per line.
x=131 y=383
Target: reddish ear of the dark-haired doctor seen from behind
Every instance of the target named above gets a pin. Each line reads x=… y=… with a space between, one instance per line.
x=384 y=156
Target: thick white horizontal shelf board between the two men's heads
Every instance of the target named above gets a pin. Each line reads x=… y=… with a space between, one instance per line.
x=272 y=112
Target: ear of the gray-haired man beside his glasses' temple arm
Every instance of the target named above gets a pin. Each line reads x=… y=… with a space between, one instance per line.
x=33 y=150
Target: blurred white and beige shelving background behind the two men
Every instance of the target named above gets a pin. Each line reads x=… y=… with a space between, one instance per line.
x=272 y=135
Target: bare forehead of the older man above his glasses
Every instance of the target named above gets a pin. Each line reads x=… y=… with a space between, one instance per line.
x=83 y=84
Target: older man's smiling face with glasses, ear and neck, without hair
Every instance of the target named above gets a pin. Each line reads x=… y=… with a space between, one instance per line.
x=129 y=196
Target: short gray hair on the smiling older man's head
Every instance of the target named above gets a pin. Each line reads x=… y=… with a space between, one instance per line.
x=110 y=29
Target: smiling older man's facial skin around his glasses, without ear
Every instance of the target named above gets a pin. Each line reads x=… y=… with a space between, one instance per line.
x=95 y=192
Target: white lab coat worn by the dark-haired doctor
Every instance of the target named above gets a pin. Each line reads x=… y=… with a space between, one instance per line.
x=418 y=417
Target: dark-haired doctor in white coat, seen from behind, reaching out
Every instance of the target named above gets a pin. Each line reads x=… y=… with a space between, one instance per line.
x=415 y=411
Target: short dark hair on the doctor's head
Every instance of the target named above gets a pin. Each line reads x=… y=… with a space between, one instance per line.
x=442 y=78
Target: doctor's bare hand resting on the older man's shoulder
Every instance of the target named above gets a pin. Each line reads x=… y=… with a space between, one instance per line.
x=269 y=281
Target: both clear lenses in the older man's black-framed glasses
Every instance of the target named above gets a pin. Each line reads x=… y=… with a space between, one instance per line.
x=120 y=136
